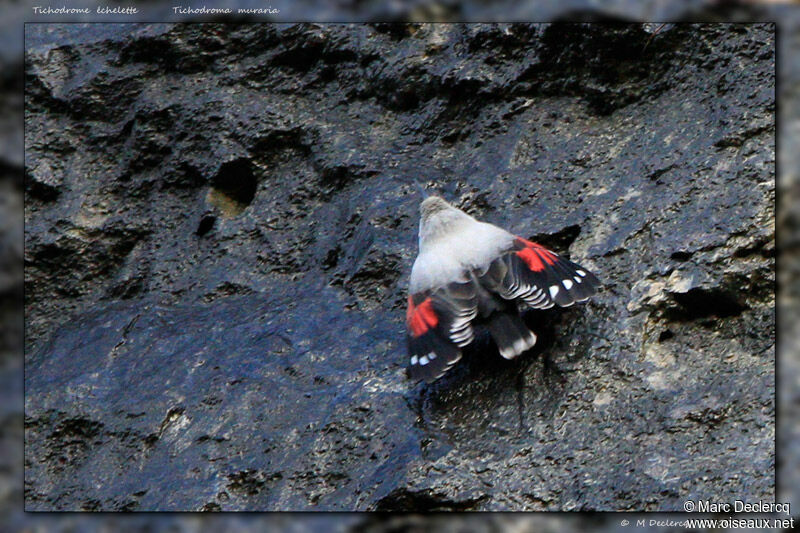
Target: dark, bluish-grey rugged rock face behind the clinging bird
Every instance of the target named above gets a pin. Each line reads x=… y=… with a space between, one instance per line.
x=220 y=223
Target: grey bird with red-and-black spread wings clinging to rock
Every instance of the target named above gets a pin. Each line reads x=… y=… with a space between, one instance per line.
x=469 y=273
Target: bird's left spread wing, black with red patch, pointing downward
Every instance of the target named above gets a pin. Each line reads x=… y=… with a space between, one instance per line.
x=439 y=322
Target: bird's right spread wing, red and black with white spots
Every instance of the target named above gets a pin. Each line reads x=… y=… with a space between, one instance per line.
x=538 y=278
